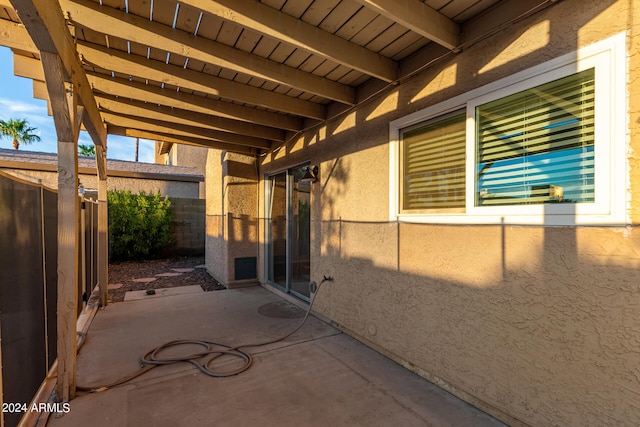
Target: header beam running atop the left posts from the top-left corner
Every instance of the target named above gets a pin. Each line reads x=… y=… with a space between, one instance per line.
x=48 y=30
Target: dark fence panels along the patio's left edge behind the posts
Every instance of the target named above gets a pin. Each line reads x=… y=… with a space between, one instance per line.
x=28 y=285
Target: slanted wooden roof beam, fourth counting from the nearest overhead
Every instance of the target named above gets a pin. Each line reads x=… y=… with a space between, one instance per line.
x=138 y=66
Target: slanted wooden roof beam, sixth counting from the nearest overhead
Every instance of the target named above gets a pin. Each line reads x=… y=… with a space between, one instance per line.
x=185 y=117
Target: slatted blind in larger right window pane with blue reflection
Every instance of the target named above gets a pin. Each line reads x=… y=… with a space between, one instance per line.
x=536 y=146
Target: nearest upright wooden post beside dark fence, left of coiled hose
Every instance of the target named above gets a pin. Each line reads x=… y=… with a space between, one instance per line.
x=68 y=225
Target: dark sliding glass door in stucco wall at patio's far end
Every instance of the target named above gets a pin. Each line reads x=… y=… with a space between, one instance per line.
x=288 y=232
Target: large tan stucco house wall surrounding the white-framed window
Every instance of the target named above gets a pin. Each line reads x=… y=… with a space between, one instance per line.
x=536 y=324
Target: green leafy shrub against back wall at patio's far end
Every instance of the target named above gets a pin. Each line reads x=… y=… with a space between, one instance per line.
x=139 y=225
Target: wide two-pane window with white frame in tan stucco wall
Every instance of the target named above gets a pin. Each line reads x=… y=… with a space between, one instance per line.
x=544 y=146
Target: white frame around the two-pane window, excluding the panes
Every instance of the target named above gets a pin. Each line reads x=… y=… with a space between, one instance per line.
x=608 y=57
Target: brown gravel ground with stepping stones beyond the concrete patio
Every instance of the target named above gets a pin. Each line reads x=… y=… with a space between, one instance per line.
x=124 y=273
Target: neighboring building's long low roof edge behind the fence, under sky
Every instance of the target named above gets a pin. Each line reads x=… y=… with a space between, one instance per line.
x=33 y=160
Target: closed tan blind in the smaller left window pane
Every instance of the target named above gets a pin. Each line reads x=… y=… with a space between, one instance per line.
x=434 y=165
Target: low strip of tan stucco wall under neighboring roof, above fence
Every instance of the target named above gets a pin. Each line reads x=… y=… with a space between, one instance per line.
x=135 y=185
